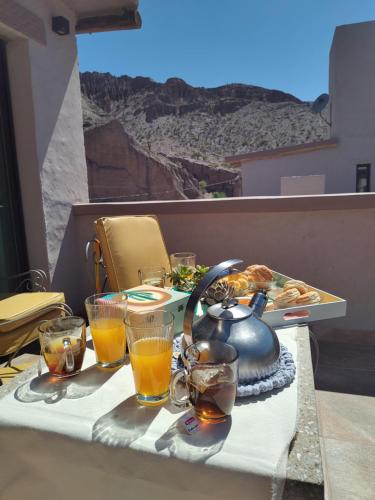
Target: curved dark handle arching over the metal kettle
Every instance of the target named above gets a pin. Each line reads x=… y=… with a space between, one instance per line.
x=223 y=269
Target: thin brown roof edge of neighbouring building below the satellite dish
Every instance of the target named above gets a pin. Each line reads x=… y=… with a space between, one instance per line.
x=238 y=160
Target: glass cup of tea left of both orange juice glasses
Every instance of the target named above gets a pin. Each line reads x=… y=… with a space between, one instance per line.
x=63 y=344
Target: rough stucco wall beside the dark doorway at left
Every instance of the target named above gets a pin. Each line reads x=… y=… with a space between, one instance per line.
x=46 y=103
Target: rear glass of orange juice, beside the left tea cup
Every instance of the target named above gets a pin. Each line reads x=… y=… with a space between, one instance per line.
x=106 y=313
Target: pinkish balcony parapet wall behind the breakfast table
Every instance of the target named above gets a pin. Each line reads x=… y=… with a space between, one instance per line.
x=328 y=241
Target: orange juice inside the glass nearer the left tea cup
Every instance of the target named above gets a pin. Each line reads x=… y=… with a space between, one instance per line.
x=109 y=339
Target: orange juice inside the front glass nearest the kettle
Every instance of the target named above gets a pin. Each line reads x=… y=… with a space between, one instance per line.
x=151 y=360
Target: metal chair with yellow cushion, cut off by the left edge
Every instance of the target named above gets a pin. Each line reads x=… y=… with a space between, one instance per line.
x=21 y=313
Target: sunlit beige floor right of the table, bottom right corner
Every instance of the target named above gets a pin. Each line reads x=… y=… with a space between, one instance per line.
x=347 y=428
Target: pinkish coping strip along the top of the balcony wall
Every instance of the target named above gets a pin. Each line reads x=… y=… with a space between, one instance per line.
x=232 y=205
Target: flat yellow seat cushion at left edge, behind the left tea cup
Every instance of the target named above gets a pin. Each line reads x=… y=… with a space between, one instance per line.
x=22 y=308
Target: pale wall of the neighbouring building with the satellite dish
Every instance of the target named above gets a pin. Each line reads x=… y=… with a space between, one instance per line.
x=352 y=101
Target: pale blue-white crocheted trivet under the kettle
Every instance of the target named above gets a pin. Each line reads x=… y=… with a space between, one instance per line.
x=283 y=376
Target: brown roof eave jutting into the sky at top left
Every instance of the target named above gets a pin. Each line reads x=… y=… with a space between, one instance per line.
x=105 y=15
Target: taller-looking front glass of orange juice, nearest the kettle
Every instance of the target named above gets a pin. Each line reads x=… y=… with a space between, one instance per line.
x=150 y=341
